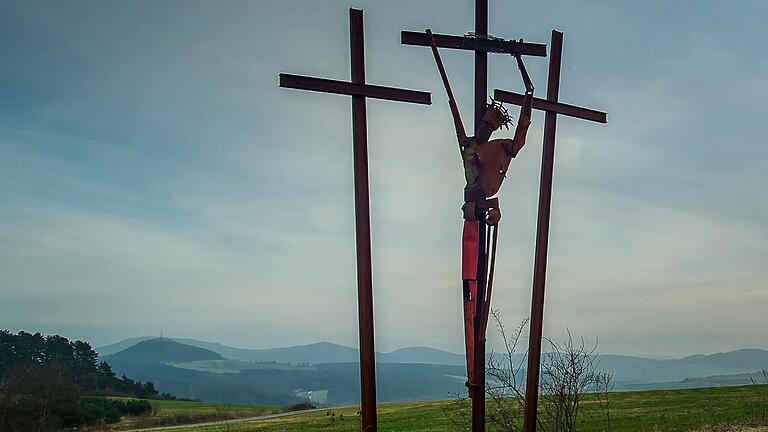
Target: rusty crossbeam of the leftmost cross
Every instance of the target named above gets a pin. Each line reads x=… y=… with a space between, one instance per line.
x=301 y=82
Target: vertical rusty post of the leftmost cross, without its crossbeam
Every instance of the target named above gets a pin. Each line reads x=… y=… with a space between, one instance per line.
x=363 y=228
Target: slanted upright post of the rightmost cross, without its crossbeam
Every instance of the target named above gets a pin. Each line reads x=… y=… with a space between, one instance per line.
x=542 y=237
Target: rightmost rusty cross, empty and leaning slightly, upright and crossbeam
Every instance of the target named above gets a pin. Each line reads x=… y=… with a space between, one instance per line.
x=552 y=108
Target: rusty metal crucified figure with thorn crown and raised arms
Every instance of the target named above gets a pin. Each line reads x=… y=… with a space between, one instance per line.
x=485 y=166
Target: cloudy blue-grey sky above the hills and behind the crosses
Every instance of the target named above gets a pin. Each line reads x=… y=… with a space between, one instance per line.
x=156 y=179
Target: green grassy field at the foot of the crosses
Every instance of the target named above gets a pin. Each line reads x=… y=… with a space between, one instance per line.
x=668 y=410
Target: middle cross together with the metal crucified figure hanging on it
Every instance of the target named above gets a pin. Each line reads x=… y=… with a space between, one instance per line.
x=475 y=272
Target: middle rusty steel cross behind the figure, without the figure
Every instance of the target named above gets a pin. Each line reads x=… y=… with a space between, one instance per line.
x=481 y=44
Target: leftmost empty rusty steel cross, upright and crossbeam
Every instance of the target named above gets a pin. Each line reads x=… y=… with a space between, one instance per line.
x=359 y=91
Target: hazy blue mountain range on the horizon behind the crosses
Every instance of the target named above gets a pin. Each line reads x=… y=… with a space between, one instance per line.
x=328 y=373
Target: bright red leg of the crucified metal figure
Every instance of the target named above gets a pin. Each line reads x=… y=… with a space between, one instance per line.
x=469 y=254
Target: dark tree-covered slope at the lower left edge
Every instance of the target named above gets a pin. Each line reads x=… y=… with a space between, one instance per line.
x=43 y=381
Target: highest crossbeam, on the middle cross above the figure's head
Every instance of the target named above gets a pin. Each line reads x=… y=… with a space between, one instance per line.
x=475 y=43
